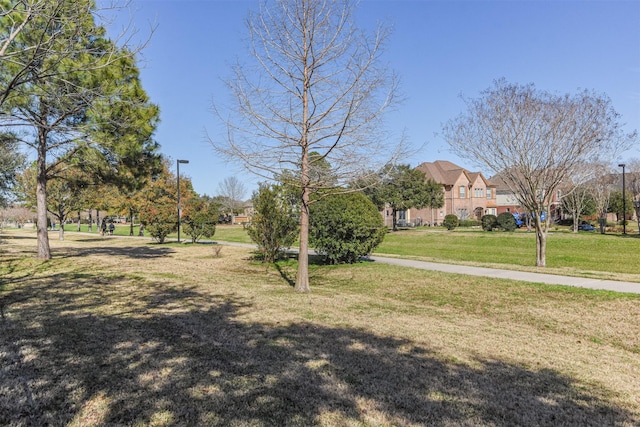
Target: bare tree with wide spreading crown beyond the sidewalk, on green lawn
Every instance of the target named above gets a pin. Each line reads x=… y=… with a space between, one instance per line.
x=537 y=141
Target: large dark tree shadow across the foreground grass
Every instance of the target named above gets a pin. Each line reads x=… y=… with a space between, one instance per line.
x=169 y=355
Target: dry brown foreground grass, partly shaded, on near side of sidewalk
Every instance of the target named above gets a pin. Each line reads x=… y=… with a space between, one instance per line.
x=123 y=332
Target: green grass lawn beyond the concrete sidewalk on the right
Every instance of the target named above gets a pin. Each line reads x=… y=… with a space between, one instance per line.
x=610 y=256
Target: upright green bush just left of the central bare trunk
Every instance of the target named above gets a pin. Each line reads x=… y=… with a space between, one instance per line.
x=274 y=225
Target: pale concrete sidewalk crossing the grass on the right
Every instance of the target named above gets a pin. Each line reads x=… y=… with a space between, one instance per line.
x=551 y=279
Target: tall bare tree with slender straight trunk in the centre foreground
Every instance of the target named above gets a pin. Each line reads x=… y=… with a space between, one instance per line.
x=318 y=85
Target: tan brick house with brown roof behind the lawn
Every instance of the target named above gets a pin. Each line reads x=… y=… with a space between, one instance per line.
x=469 y=195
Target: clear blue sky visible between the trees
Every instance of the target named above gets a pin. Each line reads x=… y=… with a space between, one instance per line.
x=440 y=49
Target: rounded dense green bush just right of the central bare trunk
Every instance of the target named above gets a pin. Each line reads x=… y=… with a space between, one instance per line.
x=345 y=227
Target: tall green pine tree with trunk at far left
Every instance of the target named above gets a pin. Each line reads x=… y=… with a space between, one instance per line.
x=81 y=98
